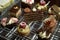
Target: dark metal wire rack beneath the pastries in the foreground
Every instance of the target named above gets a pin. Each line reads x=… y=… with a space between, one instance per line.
x=34 y=26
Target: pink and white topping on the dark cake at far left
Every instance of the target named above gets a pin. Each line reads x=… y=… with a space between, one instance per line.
x=6 y=21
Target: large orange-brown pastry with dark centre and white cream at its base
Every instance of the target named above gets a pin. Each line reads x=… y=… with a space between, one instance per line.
x=48 y=27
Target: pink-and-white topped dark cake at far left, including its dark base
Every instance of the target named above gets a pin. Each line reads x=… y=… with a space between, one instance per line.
x=9 y=22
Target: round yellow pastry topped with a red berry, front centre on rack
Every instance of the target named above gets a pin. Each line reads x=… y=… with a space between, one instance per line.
x=23 y=29
